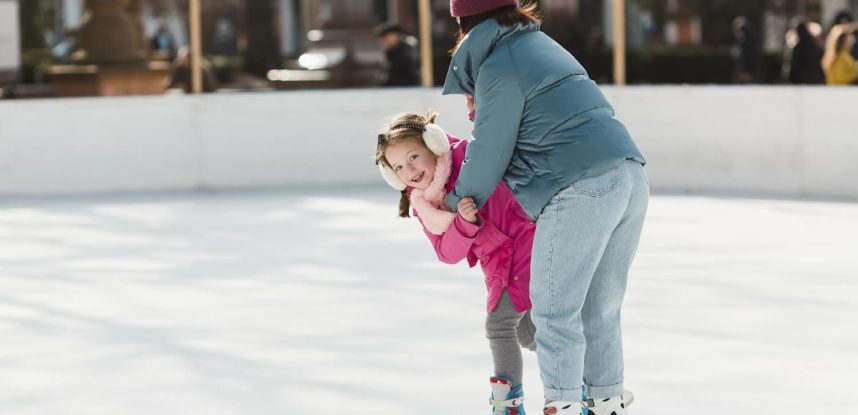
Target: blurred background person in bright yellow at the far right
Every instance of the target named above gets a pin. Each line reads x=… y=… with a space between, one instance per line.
x=838 y=64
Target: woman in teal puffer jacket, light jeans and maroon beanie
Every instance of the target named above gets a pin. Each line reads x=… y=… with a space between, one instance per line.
x=546 y=129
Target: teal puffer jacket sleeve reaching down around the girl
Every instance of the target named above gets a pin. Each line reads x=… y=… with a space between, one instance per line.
x=499 y=106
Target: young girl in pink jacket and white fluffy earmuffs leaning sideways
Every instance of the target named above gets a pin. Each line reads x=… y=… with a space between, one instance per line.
x=418 y=158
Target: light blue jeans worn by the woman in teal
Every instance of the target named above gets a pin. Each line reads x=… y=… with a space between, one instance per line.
x=586 y=238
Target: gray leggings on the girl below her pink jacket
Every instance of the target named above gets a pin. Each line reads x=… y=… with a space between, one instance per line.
x=508 y=331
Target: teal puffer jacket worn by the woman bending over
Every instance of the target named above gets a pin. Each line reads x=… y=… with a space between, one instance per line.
x=541 y=123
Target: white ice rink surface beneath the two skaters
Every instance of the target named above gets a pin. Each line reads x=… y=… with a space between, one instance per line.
x=311 y=302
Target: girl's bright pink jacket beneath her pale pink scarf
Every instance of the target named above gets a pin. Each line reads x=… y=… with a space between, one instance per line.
x=501 y=241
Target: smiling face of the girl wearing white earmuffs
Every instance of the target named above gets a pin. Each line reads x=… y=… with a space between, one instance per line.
x=412 y=162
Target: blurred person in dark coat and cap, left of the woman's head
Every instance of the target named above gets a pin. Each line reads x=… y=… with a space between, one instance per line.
x=403 y=63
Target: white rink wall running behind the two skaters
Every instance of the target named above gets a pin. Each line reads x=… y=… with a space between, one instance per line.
x=787 y=141
